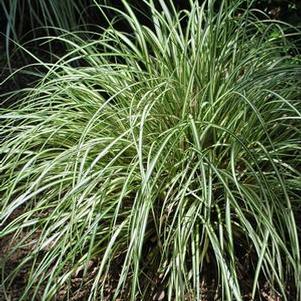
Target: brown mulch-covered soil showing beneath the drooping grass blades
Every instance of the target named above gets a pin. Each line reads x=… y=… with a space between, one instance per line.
x=81 y=284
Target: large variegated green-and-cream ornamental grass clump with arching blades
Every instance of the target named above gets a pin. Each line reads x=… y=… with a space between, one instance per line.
x=166 y=161
